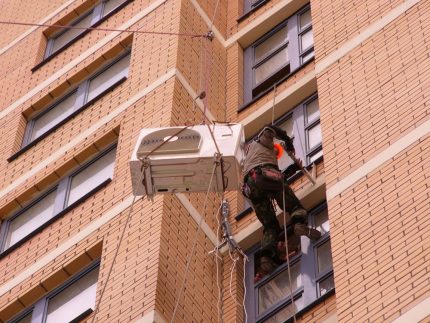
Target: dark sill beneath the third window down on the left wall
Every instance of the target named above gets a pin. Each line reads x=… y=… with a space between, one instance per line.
x=55 y=218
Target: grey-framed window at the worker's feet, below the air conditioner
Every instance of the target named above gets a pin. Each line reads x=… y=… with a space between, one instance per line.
x=270 y=286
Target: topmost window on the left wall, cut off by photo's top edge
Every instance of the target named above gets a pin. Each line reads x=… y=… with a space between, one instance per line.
x=91 y=18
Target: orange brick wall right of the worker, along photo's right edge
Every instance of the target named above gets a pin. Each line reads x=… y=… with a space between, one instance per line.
x=371 y=98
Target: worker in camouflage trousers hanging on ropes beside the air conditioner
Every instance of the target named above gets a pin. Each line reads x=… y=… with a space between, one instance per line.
x=263 y=182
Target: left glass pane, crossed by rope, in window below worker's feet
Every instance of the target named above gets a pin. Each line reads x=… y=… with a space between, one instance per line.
x=278 y=288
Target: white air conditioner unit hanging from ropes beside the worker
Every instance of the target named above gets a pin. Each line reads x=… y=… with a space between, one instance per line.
x=185 y=162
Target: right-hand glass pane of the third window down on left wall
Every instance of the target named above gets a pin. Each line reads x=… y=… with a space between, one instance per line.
x=92 y=176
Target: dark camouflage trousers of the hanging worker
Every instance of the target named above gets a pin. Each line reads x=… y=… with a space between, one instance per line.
x=261 y=200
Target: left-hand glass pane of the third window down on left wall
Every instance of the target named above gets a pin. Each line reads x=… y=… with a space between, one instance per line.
x=31 y=219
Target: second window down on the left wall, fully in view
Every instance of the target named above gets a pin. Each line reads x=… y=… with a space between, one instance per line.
x=77 y=99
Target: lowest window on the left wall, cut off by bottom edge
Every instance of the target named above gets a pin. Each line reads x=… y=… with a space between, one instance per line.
x=72 y=301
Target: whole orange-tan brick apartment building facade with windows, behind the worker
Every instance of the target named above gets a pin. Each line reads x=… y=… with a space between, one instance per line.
x=349 y=81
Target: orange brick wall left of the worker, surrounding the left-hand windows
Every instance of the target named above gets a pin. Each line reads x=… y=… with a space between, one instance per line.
x=151 y=262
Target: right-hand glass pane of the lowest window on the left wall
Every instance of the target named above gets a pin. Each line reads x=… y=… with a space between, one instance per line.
x=74 y=300
